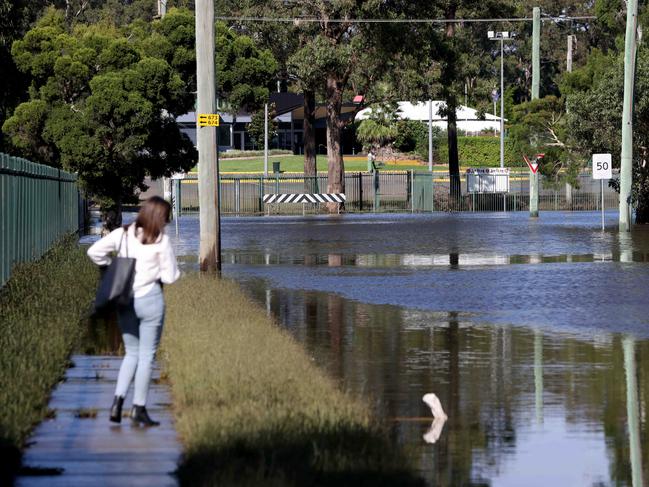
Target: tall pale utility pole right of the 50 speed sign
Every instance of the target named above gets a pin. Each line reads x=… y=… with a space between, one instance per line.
x=626 y=160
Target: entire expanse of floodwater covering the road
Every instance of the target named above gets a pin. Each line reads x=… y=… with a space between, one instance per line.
x=534 y=334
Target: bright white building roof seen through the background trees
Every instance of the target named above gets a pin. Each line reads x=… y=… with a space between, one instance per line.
x=467 y=118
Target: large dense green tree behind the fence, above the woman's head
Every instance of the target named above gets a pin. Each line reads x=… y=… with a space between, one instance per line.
x=104 y=100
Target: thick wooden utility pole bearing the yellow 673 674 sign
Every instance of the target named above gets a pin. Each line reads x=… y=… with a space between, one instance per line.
x=208 y=190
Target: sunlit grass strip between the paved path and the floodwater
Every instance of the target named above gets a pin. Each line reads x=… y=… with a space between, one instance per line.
x=251 y=407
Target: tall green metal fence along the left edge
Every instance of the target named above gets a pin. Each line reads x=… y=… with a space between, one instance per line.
x=38 y=205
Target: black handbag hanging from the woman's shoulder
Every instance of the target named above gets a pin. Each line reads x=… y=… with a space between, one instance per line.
x=116 y=284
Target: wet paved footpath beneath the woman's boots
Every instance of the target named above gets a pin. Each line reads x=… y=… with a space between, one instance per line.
x=93 y=451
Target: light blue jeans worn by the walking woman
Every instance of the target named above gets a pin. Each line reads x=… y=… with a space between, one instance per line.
x=141 y=326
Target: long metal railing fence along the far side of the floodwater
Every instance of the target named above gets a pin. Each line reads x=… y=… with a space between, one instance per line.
x=397 y=191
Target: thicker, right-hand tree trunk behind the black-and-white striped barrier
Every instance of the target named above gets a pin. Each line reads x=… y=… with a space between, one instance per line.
x=336 y=166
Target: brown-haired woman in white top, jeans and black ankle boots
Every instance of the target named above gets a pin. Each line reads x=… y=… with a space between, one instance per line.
x=140 y=321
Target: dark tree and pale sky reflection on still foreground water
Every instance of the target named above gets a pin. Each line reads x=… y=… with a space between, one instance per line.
x=525 y=406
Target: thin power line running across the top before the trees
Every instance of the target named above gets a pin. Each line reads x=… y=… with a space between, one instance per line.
x=395 y=21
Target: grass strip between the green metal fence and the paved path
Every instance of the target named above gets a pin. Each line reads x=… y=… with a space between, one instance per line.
x=42 y=306
